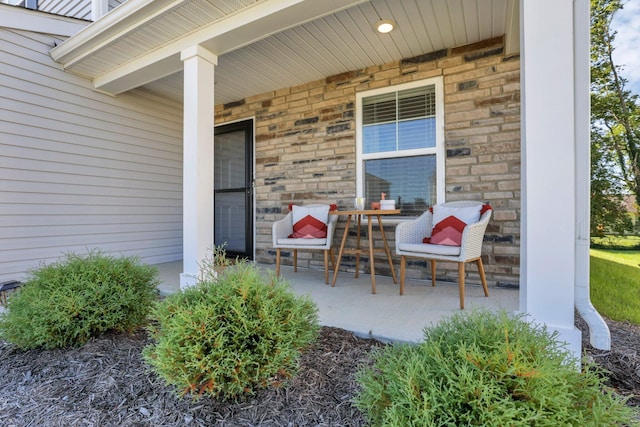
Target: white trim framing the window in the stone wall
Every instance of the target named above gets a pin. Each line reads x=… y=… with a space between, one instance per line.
x=438 y=150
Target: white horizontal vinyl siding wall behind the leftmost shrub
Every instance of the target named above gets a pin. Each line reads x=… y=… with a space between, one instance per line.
x=80 y=170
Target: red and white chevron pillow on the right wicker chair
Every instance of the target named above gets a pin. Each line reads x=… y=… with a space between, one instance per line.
x=450 y=223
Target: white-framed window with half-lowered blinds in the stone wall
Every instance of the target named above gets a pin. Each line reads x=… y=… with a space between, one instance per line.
x=399 y=144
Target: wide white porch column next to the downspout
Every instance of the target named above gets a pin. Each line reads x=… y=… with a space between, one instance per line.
x=549 y=118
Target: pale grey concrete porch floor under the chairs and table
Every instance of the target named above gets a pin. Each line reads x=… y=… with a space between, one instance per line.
x=386 y=316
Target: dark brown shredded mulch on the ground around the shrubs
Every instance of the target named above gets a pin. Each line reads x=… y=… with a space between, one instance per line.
x=106 y=383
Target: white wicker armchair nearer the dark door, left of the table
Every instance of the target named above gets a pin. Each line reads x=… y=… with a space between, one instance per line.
x=282 y=229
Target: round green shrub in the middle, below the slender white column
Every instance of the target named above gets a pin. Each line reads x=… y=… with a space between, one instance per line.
x=231 y=335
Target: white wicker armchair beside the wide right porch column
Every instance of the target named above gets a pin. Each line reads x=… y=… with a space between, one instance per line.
x=409 y=237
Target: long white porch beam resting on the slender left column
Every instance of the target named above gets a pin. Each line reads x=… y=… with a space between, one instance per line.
x=233 y=32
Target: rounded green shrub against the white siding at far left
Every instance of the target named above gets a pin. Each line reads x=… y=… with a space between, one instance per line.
x=78 y=297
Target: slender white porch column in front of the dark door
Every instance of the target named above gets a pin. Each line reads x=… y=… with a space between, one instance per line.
x=197 y=184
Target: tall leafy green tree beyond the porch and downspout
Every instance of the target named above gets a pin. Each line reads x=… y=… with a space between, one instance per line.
x=615 y=126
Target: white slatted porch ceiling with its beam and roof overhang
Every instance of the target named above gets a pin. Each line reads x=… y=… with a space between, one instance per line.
x=270 y=44
